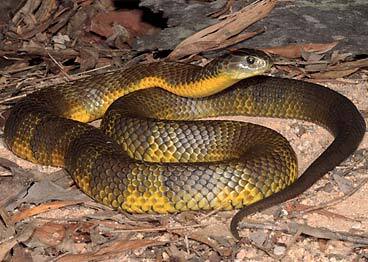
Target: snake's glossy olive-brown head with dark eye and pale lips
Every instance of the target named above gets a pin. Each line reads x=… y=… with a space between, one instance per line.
x=244 y=63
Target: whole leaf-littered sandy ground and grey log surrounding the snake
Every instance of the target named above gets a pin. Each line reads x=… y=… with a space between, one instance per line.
x=45 y=217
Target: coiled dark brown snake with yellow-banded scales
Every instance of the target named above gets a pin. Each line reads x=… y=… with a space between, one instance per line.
x=156 y=151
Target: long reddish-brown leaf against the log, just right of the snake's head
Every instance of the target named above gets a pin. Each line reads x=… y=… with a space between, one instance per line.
x=296 y=50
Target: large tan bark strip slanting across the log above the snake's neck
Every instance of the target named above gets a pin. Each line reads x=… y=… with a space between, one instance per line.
x=214 y=35
